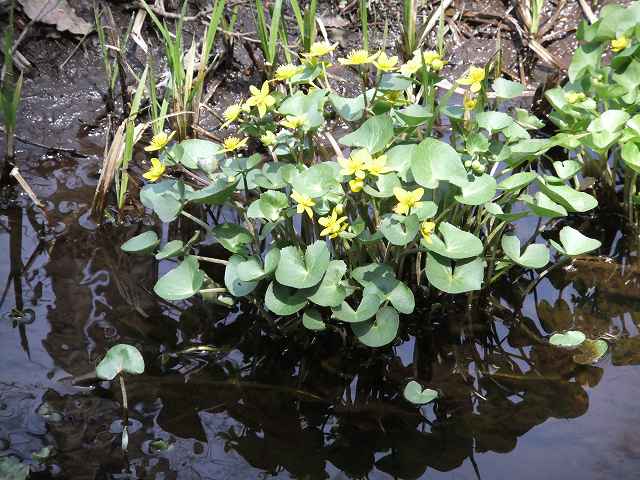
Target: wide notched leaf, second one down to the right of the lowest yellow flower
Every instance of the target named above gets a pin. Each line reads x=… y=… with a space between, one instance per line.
x=465 y=277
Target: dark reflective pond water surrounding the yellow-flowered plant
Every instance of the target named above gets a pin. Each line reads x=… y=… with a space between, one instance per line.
x=264 y=402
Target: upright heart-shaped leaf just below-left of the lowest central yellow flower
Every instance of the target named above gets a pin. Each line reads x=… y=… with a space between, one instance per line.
x=298 y=271
